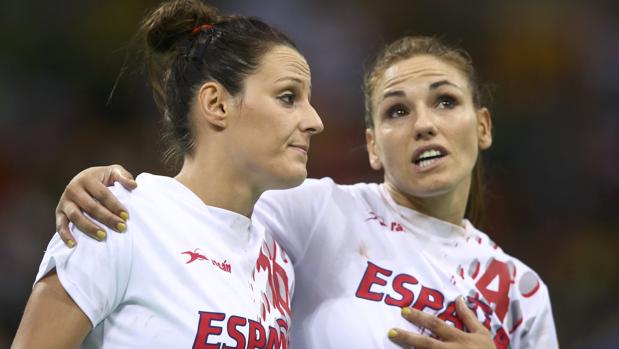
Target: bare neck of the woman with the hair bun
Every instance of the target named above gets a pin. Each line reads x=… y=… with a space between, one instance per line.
x=217 y=184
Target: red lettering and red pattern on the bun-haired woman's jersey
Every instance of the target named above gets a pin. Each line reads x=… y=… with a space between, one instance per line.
x=269 y=290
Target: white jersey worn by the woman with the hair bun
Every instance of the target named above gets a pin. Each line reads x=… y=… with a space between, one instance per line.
x=183 y=275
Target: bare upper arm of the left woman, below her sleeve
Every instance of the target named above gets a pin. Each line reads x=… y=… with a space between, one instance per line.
x=51 y=319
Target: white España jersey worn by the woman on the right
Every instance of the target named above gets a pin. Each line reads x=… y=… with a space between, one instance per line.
x=359 y=257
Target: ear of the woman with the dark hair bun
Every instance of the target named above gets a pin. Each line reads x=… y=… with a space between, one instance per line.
x=214 y=103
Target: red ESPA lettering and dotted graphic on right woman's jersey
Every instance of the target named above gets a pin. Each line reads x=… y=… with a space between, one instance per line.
x=490 y=299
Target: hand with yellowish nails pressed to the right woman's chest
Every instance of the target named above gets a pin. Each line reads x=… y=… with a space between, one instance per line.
x=449 y=337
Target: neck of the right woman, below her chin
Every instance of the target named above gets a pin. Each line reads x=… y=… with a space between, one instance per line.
x=449 y=206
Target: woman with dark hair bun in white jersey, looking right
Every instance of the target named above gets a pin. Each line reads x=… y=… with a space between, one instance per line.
x=234 y=95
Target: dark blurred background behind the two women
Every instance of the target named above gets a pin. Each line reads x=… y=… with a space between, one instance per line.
x=553 y=171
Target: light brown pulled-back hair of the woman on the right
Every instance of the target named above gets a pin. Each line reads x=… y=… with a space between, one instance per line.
x=411 y=46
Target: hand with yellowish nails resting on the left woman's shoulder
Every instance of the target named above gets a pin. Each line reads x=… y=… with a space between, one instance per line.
x=88 y=193
